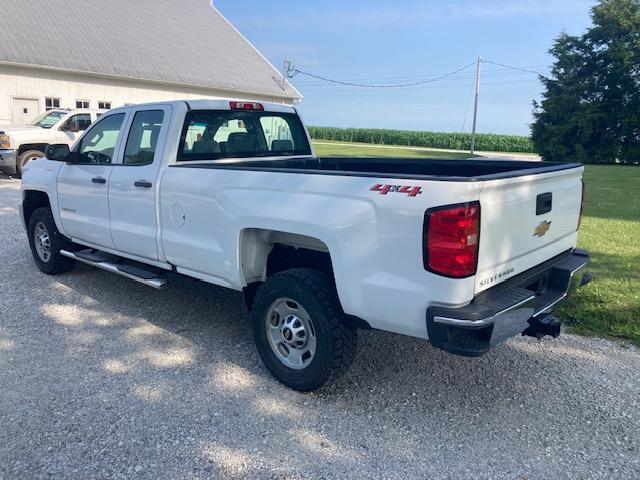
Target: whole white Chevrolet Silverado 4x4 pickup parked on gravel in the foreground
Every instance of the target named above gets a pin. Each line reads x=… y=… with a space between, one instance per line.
x=463 y=253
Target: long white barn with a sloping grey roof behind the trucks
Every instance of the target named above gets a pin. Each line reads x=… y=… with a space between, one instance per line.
x=108 y=53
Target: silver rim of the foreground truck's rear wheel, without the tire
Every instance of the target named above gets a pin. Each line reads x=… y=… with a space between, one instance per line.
x=290 y=333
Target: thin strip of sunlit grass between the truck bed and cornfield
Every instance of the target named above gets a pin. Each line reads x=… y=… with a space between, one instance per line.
x=359 y=150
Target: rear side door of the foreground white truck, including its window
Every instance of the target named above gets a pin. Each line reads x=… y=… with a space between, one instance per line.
x=133 y=186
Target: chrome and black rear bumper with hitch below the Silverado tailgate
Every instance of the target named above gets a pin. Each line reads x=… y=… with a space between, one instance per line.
x=523 y=304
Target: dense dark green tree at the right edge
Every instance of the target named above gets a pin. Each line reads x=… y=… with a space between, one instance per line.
x=590 y=109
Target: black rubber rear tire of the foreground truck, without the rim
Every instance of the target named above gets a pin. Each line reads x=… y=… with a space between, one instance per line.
x=335 y=341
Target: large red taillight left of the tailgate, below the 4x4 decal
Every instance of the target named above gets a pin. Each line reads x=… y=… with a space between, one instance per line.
x=452 y=234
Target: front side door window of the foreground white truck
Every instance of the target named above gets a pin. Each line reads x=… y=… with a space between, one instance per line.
x=98 y=145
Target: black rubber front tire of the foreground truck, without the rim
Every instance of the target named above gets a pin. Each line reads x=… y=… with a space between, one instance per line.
x=53 y=263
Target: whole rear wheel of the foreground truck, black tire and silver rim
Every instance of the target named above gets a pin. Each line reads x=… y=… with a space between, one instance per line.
x=300 y=329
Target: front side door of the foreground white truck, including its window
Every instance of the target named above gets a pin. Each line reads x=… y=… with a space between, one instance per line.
x=83 y=186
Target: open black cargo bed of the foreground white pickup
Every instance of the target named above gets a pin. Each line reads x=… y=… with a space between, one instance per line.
x=416 y=168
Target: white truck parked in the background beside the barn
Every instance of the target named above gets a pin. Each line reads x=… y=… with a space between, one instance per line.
x=21 y=144
